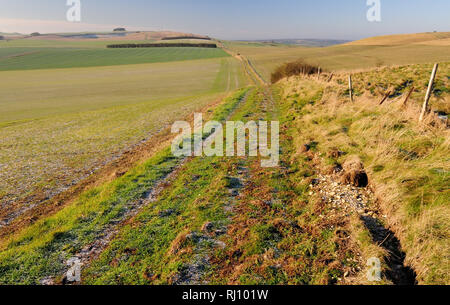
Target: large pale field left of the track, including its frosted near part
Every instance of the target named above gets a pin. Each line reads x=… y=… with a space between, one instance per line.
x=68 y=122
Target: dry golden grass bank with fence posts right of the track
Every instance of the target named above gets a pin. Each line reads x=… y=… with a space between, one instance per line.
x=407 y=162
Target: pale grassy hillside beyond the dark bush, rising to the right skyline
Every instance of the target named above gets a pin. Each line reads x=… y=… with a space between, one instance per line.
x=378 y=52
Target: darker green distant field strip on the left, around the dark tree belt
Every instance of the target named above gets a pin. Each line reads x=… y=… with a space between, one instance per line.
x=28 y=54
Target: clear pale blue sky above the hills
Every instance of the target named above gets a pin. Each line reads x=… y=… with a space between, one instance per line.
x=231 y=19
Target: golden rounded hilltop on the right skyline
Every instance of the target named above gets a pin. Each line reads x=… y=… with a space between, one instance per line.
x=435 y=38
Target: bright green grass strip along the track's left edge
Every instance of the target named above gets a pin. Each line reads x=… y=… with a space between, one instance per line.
x=40 y=251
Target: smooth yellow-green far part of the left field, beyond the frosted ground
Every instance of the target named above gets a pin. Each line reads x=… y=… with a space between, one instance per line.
x=61 y=91
